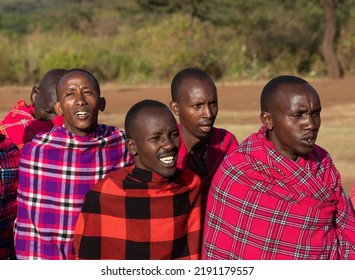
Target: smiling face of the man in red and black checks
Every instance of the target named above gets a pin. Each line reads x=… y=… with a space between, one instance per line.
x=156 y=141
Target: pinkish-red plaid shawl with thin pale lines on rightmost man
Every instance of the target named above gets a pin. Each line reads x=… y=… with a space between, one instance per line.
x=262 y=205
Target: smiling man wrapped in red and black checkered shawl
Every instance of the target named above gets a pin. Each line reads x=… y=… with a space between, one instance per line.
x=150 y=210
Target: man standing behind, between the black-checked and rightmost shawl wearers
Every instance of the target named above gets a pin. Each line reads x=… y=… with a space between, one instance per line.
x=194 y=101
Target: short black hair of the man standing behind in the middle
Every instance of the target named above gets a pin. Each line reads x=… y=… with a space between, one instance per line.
x=195 y=73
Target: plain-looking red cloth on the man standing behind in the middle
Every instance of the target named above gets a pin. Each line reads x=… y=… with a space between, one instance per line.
x=221 y=143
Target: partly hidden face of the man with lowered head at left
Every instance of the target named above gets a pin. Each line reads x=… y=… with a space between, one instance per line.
x=43 y=103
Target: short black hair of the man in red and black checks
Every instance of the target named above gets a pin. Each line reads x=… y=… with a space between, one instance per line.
x=133 y=112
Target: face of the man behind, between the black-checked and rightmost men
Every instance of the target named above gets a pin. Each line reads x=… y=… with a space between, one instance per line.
x=197 y=108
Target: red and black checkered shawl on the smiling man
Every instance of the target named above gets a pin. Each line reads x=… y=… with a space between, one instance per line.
x=137 y=214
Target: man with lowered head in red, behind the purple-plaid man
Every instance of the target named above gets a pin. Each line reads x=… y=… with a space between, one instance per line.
x=24 y=121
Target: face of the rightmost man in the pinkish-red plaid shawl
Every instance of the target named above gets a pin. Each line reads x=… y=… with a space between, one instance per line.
x=295 y=120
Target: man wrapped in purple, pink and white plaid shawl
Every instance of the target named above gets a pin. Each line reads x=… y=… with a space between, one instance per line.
x=58 y=168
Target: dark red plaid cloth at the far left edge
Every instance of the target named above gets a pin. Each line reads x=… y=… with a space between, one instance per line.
x=9 y=162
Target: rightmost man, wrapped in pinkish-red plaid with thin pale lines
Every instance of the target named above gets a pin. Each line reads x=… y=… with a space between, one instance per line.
x=279 y=196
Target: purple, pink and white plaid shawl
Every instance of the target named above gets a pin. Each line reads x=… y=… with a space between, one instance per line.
x=56 y=170
